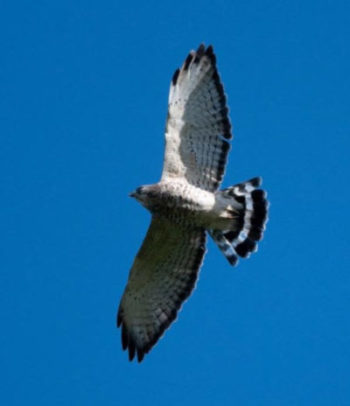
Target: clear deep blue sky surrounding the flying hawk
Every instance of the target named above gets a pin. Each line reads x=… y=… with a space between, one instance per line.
x=84 y=89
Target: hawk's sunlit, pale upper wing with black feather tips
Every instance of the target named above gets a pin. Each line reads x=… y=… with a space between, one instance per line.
x=198 y=125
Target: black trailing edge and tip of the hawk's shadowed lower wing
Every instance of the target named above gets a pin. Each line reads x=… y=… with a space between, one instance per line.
x=129 y=343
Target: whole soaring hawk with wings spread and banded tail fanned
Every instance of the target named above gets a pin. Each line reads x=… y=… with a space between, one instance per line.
x=186 y=205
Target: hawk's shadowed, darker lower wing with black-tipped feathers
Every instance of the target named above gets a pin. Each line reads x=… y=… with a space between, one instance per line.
x=162 y=277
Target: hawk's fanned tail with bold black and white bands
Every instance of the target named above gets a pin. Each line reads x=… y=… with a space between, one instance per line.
x=249 y=207
